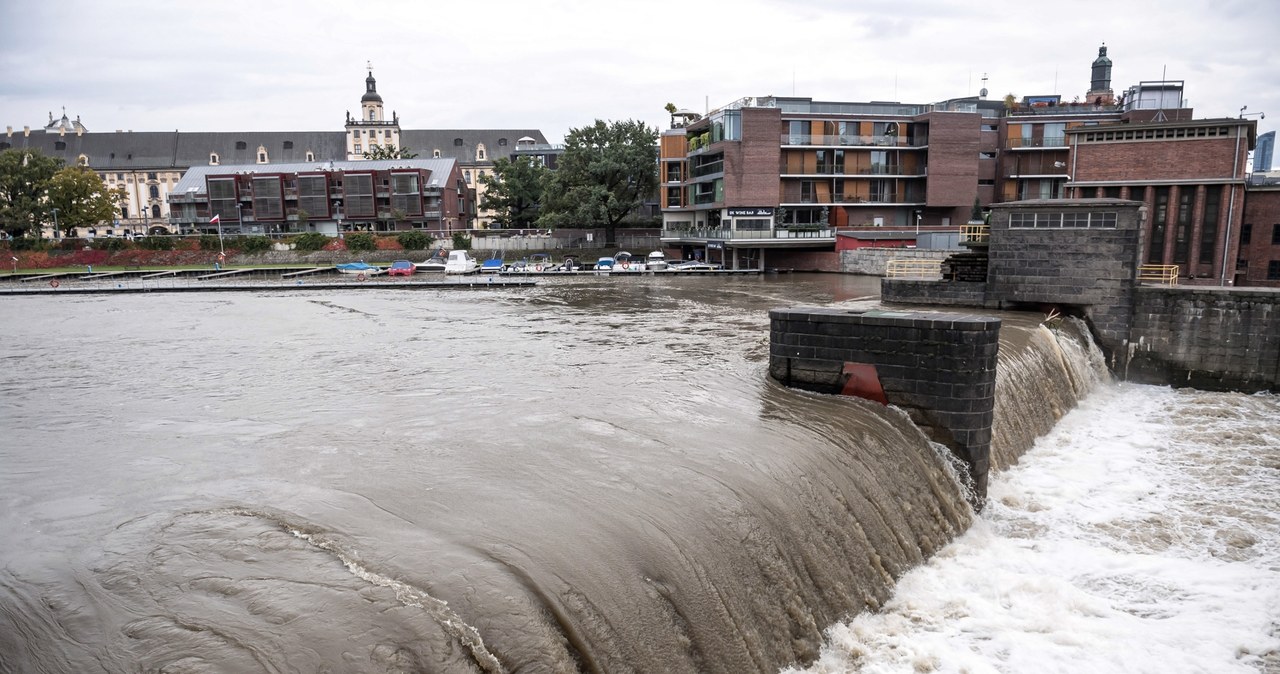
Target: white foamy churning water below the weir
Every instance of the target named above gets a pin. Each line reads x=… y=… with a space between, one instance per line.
x=1140 y=537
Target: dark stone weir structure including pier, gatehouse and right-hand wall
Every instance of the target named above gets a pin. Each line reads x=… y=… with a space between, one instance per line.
x=1053 y=258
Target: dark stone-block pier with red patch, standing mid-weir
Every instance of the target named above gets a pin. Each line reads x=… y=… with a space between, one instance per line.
x=940 y=369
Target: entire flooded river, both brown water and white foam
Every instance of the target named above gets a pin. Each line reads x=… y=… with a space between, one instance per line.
x=593 y=475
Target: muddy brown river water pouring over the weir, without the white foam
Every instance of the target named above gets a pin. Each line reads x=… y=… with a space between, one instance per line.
x=588 y=476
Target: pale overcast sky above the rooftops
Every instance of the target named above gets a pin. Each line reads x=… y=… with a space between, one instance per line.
x=560 y=65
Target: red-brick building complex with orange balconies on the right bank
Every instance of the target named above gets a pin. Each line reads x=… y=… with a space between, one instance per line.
x=784 y=181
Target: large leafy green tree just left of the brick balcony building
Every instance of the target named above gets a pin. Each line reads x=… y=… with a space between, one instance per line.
x=606 y=173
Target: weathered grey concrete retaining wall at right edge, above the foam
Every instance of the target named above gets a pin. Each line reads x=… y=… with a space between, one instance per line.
x=1208 y=338
